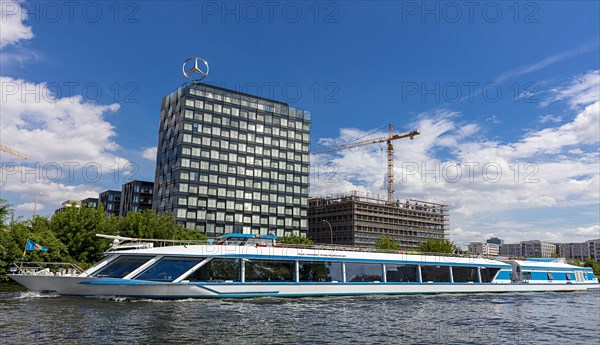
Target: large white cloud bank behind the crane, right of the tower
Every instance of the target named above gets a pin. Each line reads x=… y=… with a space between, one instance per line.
x=556 y=167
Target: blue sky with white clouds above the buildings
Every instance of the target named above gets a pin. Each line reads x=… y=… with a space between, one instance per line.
x=499 y=85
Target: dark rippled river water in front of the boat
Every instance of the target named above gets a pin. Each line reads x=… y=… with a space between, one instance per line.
x=534 y=318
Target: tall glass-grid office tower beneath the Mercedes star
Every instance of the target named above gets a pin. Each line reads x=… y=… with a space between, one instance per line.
x=232 y=162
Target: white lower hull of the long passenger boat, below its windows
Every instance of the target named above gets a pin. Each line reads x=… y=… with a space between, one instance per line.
x=89 y=286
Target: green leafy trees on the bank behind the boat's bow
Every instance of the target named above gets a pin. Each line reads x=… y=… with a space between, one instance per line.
x=70 y=235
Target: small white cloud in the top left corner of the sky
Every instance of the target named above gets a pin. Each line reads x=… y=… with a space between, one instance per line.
x=12 y=16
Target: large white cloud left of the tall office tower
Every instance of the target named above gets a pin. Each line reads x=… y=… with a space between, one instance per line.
x=51 y=129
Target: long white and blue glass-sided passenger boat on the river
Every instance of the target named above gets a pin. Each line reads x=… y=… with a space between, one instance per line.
x=243 y=265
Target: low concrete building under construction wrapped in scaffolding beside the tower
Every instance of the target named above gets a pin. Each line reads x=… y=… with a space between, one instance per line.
x=357 y=219
